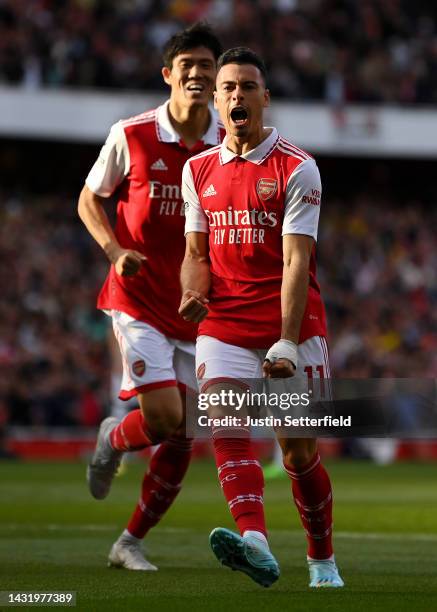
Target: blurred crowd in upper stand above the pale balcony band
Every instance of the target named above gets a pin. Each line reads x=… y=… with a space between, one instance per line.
x=370 y=51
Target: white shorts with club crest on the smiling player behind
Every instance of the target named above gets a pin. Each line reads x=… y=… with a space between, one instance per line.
x=150 y=359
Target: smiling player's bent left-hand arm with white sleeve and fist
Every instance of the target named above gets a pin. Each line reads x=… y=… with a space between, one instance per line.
x=108 y=172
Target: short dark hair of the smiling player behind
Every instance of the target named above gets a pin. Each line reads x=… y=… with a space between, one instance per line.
x=198 y=35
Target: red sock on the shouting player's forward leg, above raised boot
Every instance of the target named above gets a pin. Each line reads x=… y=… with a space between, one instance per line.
x=242 y=481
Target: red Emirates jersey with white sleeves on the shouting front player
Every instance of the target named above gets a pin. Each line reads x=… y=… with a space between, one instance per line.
x=247 y=203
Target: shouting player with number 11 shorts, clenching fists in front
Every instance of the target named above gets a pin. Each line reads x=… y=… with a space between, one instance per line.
x=249 y=279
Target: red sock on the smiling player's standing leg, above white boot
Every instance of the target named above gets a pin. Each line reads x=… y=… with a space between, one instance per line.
x=161 y=484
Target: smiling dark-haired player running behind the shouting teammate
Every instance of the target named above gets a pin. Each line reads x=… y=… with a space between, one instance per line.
x=141 y=164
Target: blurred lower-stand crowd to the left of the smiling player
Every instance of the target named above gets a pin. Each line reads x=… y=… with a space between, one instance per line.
x=54 y=361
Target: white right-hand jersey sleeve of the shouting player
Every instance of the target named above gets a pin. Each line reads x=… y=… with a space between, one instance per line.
x=302 y=200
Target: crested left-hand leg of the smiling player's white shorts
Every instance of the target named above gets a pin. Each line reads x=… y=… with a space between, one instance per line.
x=147 y=356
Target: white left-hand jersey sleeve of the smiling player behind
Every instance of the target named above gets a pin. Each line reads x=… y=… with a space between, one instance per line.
x=112 y=165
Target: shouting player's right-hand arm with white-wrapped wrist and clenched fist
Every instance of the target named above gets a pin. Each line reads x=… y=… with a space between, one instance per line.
x=301 y=217
